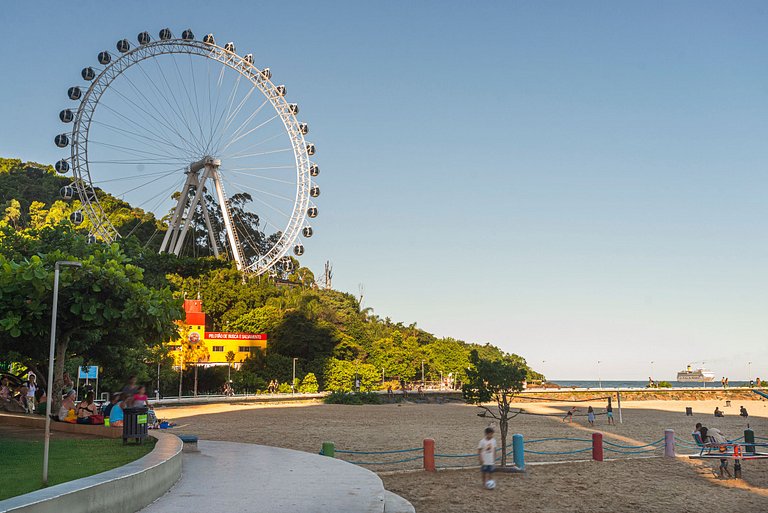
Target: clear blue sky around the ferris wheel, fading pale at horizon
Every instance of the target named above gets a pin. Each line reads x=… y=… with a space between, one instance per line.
x=571 y=181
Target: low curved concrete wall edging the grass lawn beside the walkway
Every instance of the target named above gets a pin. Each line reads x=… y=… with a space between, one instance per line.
x=125 y=489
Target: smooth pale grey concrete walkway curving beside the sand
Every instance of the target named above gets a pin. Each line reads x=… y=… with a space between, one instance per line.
x=235 y=477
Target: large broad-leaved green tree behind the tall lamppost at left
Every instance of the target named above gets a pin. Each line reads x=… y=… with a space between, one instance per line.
x=105 y=311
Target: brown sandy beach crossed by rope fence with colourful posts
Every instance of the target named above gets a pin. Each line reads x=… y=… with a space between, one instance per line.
x=627 y=483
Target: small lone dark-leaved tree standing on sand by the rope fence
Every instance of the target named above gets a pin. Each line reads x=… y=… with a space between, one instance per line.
x=495 y=381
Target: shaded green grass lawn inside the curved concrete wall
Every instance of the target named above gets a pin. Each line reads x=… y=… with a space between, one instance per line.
x=68 y=459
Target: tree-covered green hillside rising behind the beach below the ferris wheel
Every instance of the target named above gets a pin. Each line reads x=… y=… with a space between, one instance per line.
x=119 y=311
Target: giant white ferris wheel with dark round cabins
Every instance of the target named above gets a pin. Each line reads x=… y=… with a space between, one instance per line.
x=197 y=135
